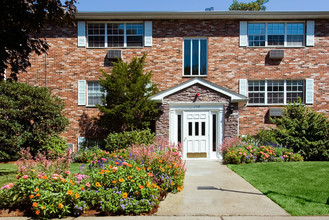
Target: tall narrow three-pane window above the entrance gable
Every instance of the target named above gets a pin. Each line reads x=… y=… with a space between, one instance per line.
x=195 y=57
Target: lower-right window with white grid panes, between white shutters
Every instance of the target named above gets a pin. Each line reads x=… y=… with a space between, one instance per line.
x=273 y=92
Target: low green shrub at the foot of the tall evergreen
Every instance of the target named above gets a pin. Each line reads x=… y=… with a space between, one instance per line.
x=115 y=141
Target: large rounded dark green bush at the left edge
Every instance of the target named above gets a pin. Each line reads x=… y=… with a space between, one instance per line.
x=29 y=117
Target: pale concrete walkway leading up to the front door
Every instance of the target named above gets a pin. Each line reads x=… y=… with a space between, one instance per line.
x=211 y=189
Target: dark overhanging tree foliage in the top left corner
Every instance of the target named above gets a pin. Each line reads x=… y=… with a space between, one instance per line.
x=21 y=22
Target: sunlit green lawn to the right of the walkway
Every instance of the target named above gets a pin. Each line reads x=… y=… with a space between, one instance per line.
x=301 y=188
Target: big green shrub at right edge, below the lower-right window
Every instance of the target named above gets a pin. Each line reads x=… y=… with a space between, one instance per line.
x=305 y=130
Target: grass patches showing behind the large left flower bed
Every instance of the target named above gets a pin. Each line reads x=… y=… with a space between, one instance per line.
x=8 y=172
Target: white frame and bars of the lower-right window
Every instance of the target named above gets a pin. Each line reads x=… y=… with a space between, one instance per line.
x=284 y=93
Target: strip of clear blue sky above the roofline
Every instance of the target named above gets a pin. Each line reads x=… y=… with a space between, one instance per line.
x=195 y=5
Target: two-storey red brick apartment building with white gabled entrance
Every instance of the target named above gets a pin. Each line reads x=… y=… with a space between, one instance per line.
x=220 y=74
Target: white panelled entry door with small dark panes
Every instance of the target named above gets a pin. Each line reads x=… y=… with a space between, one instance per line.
x=196 y=133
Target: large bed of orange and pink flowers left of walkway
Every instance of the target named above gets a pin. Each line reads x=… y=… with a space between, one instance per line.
x=131 y=181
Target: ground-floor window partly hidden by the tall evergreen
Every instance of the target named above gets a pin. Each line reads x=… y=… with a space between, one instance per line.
x=94 y=93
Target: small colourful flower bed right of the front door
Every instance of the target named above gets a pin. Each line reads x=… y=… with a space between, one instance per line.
x=248 y=153
